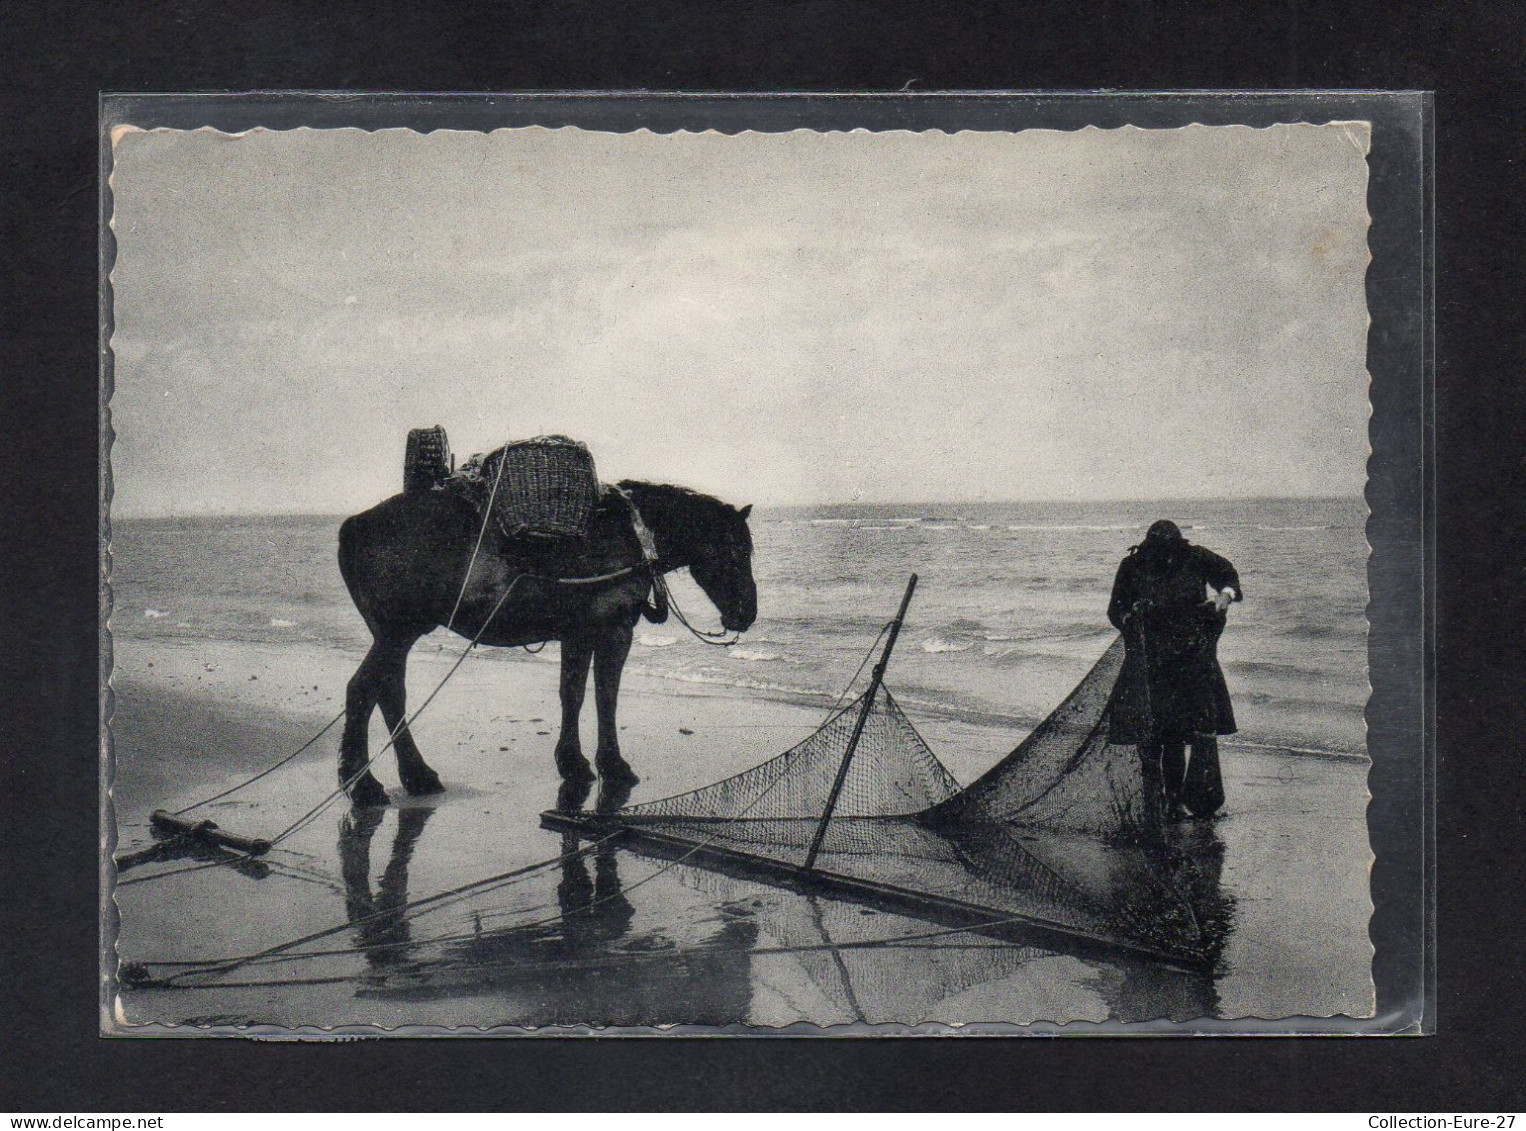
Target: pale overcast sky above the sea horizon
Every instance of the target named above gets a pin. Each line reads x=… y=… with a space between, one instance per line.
x=774 y=318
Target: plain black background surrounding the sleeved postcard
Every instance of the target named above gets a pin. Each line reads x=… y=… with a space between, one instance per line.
x=56 y=60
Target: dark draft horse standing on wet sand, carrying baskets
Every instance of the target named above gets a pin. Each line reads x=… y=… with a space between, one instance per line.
x=420 y=561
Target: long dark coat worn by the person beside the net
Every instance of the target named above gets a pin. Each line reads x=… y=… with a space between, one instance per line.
x=1171 y=686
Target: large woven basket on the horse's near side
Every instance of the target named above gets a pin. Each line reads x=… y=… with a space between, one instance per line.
x=549 y=488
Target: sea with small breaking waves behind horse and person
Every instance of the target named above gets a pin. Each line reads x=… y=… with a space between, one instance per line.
x=1009 y=614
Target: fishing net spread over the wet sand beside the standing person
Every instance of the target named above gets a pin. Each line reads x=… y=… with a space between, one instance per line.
x=1057 y=836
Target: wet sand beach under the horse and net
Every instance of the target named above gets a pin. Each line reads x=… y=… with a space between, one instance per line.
x=611 y=938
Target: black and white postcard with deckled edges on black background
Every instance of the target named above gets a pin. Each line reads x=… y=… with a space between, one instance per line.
x=834 y=582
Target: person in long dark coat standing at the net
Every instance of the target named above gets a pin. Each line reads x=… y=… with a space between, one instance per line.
x=1171 y=601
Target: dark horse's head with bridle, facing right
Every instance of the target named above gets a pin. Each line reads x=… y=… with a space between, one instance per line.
x=709 y=536
